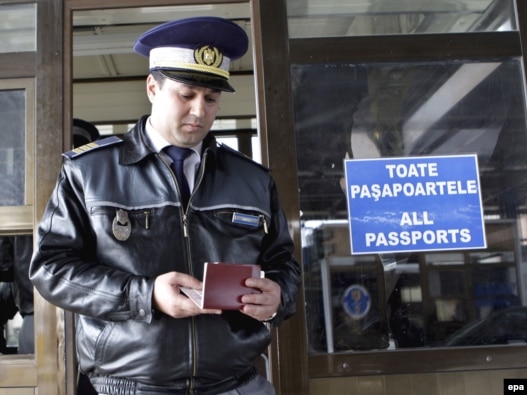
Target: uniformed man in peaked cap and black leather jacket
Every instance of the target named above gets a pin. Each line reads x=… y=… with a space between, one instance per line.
x=118 y=239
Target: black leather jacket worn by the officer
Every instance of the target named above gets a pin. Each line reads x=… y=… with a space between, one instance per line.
x=80 y=265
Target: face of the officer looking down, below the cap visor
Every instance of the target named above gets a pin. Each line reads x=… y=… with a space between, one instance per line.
x=182 y=113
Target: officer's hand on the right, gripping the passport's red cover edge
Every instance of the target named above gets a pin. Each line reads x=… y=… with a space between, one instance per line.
x=261 y=306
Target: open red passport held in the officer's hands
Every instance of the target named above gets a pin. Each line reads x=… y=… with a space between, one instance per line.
x=223 y=285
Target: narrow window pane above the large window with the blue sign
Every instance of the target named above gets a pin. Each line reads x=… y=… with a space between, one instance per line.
x=335 y=18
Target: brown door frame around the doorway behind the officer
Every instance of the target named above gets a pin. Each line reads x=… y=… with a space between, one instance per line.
x=275 y=123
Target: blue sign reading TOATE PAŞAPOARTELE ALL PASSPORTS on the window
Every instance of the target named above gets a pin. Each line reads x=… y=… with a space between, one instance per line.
x=409 y=204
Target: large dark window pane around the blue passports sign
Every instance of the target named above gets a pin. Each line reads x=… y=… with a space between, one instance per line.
x=433 y=299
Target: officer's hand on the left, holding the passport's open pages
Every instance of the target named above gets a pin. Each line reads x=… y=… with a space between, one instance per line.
x=168 y=298
